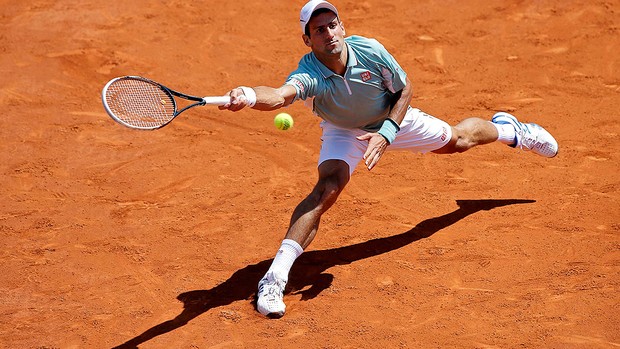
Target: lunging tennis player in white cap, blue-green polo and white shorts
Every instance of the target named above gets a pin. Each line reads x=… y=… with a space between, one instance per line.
x=362 y=94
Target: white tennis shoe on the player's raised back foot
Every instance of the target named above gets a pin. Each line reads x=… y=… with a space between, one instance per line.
x=530 y=137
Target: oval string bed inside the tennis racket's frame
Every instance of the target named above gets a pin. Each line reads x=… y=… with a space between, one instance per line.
x=140 y=103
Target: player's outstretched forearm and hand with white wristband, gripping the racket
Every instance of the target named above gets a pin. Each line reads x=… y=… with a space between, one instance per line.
x=264 y=97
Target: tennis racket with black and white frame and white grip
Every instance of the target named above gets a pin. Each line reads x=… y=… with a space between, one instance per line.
x=140 y=103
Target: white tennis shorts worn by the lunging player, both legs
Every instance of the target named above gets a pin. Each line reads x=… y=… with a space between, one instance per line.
x=419 y=132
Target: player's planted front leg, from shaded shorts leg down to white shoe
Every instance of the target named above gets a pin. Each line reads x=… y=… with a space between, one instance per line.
x=340 y=153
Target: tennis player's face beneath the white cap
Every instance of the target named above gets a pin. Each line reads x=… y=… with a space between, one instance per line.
x=326 y=34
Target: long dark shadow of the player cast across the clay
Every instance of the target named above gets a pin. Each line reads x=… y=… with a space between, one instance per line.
x=309 y=269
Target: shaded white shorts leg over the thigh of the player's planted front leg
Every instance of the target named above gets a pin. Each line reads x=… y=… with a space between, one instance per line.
x=341 y=144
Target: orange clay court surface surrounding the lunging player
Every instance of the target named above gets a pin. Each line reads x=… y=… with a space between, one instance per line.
x=117 y=238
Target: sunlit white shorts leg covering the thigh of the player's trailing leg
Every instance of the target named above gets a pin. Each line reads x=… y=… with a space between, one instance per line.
x=422 y=133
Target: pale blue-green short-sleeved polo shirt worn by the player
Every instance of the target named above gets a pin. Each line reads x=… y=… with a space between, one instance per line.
x=359 y=99
